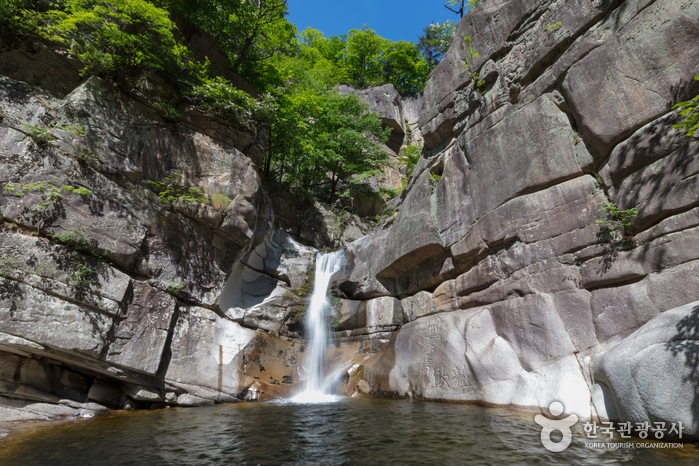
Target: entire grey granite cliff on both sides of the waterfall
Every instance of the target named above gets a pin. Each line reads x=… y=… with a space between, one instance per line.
x=493 y=281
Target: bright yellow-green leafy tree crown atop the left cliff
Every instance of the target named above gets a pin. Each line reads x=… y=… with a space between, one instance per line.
x=118 y=39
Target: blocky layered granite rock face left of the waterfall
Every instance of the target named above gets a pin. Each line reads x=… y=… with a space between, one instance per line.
x=109 y=297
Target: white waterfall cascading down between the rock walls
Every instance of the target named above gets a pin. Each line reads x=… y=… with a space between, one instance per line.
x=316 y=325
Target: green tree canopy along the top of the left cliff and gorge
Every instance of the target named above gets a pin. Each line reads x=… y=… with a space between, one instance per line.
x=321 y=144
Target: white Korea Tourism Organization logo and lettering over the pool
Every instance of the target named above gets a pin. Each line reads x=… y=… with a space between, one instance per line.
x=600 y=434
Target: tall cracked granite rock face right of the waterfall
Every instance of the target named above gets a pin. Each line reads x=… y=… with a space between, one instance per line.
x=510 y=293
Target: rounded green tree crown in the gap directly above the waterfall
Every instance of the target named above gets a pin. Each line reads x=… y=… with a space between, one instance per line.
x=322 y=140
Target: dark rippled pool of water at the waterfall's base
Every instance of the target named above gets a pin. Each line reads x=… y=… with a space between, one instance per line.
x=349 y=432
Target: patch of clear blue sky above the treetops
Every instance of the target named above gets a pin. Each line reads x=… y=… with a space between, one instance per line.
x=391 y=19
